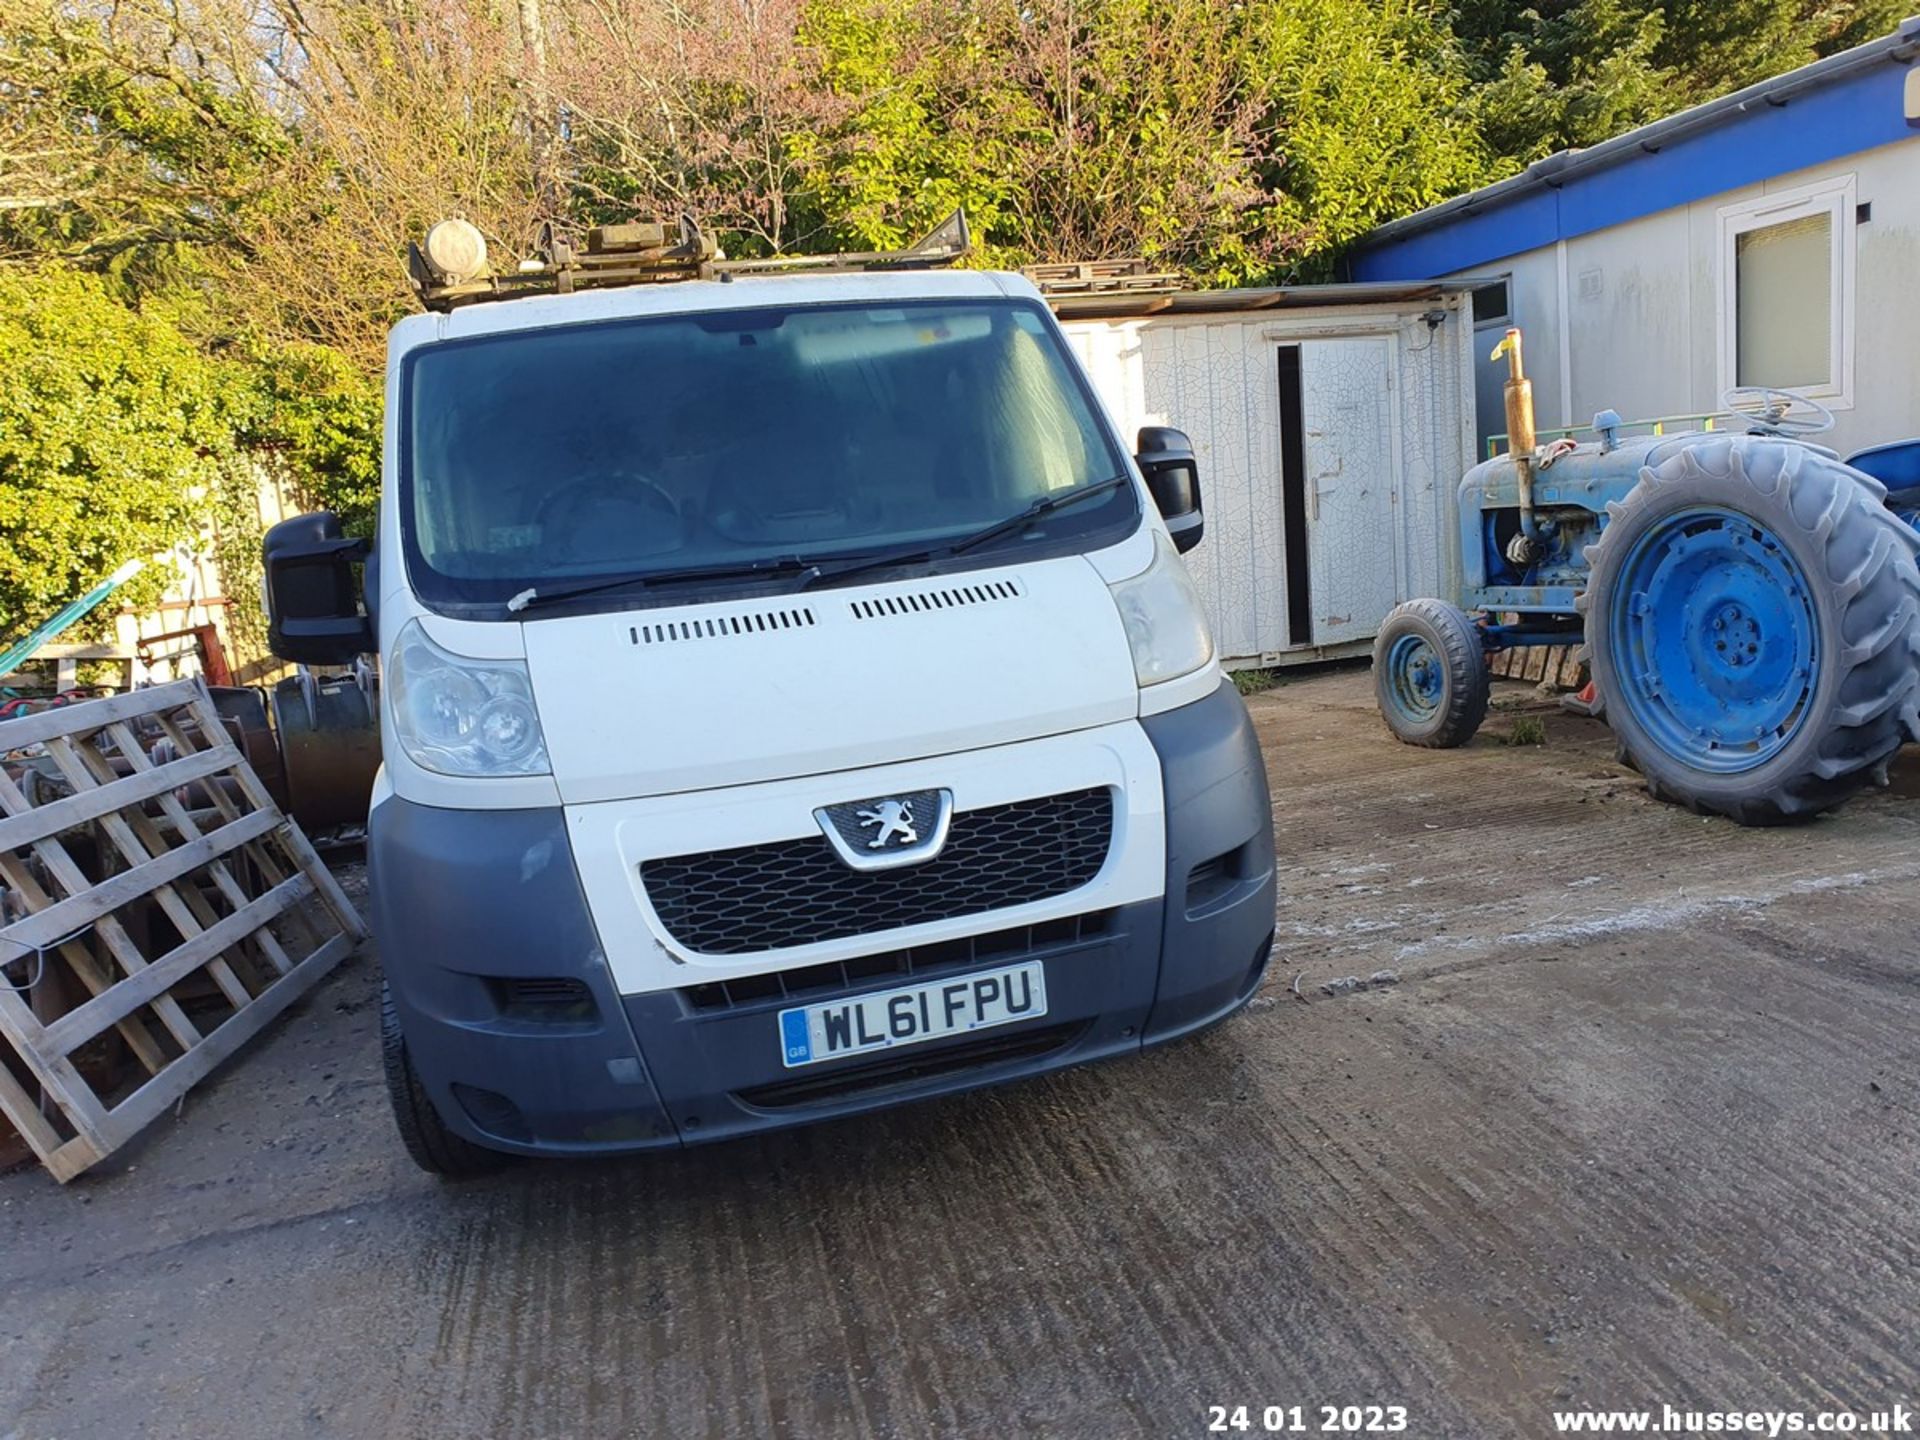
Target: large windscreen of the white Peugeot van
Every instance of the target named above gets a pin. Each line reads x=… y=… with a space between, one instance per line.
x=567 y=456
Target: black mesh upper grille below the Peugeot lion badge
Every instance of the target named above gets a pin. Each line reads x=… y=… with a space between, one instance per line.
x=790 y=894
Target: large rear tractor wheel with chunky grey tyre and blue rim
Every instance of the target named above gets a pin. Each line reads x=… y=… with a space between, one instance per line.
x=1754 y=629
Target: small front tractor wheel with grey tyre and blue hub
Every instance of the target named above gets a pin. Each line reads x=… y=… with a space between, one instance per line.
x=1429 y=675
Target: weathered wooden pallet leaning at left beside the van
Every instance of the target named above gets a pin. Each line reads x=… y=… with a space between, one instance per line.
x=222 y=911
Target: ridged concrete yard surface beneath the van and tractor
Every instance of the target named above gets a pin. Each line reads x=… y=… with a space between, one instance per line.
x=1637 y=1124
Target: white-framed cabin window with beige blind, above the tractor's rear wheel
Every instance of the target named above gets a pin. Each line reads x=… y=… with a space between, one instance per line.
x=1787 y=293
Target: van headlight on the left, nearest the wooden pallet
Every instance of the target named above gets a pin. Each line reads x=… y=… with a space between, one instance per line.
x=462 y=717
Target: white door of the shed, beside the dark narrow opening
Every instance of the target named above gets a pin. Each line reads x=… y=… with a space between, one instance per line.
x=1347 y=412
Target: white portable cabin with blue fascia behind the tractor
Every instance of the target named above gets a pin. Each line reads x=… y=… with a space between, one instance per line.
x=1769 y=237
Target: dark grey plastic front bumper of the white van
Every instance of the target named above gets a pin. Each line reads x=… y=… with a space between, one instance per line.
x=519 y=1034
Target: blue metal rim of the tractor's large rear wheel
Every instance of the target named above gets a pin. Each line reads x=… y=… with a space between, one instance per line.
x=1717 y=640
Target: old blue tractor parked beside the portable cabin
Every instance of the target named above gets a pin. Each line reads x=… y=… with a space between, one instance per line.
x=1748 y=602
